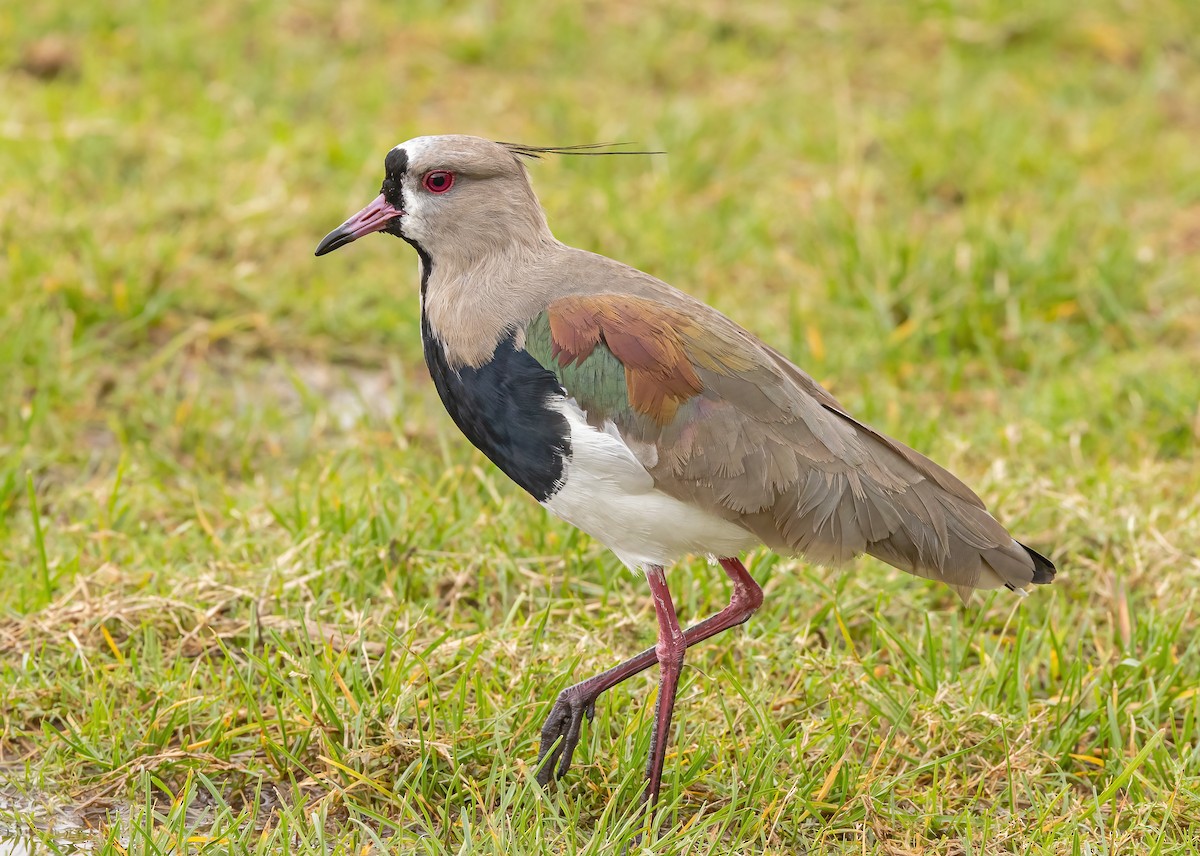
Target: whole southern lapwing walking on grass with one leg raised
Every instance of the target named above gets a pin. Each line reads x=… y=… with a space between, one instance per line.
x=651 y=421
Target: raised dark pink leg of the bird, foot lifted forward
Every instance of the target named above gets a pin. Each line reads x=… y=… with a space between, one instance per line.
x=561 y=733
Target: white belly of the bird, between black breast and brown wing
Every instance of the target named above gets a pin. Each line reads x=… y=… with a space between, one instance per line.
x=609 y=494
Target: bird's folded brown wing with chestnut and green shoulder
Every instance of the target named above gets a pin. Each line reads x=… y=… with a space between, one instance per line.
x=724 y=422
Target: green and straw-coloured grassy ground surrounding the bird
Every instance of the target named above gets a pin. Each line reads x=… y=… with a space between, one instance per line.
x=260 y=596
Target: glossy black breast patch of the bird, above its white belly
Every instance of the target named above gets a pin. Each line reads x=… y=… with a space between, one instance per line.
x=505 y=410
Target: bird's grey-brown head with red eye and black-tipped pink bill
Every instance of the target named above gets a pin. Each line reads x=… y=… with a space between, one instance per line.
x=452 y=197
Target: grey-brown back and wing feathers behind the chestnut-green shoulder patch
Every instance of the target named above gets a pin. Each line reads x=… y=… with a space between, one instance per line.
x=773 y=451
